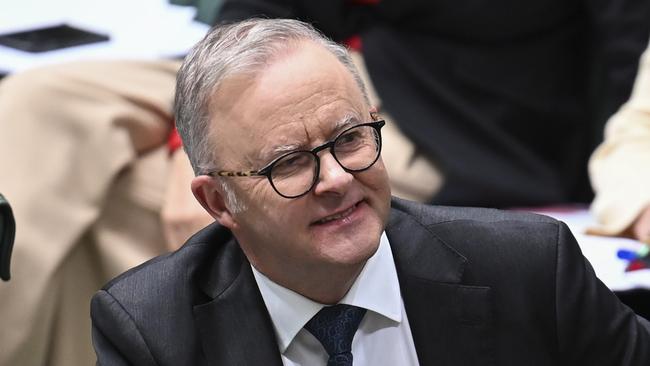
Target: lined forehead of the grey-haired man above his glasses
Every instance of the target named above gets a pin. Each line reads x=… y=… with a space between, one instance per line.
x=278 y=107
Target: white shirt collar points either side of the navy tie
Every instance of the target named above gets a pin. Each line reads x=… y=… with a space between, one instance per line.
x=376 y=289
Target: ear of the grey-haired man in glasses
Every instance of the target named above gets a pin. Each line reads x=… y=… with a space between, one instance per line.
x=210 y=195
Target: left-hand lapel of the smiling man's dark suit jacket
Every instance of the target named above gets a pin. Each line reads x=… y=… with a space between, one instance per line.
x=235 y=327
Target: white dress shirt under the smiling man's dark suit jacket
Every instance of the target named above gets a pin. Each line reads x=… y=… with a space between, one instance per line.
x=384 y=335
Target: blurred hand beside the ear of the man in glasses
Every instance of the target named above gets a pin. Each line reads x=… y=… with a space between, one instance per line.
x=182 y=215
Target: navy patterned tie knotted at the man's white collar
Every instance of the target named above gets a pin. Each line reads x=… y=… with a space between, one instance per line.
x=334 y=326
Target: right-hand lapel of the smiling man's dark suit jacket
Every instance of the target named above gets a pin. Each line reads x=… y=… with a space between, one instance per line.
x=450 y=322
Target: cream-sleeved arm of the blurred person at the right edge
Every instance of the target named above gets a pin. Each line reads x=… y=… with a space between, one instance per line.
x=620 y=167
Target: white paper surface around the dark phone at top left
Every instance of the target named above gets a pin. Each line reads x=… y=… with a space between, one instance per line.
x=138 y=29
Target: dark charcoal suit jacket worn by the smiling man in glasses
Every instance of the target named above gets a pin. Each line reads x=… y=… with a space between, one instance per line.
x=480 y=287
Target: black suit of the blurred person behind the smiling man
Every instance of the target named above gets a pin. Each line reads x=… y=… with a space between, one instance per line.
x=509 y=97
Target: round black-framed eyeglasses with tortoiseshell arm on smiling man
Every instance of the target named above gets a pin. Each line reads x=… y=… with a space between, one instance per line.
x=294 y=174
